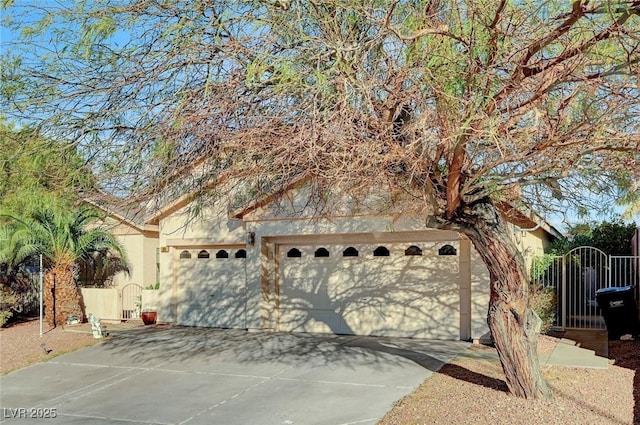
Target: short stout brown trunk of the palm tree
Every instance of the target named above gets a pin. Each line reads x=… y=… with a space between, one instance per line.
x=67 y=298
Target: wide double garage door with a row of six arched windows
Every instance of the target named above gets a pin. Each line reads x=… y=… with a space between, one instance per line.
x=408 y=290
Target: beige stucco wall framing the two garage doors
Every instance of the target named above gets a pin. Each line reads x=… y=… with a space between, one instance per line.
x=213 y=229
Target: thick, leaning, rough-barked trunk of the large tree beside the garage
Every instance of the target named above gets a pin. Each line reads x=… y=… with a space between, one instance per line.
x=513 y=325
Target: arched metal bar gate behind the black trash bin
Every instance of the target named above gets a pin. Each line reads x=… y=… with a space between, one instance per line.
x=577 y=276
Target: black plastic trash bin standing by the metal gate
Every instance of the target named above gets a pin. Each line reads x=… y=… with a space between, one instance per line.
x=620 y=312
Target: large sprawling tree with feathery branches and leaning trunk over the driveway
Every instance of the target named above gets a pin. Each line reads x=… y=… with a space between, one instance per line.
x=458 y=105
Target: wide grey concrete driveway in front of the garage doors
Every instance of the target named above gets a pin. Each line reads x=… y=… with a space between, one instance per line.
x=176 y=375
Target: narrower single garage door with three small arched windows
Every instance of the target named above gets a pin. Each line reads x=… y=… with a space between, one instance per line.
x=212 y=288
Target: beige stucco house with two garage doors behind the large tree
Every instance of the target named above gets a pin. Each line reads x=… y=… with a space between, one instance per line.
x=275 y=265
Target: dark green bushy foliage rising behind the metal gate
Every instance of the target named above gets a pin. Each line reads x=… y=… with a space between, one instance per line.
x=613 y=238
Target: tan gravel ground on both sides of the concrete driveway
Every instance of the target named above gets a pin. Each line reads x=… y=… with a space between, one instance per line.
x=466 y=391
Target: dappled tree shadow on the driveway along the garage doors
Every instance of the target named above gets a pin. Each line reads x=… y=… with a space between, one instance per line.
x=152 y=345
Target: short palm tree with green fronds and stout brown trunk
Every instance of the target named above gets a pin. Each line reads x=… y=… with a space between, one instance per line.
x=65 y=238
